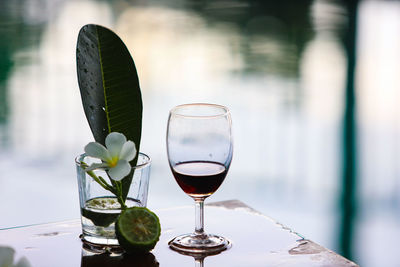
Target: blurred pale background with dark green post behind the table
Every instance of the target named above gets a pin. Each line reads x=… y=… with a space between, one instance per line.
x=313 y=87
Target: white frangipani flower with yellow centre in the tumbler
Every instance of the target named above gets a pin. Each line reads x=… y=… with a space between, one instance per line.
x=115 y=156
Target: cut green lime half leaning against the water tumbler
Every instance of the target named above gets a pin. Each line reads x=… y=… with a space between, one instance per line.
x=138 y=229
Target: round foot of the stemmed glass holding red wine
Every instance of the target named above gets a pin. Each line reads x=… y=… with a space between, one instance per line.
x=206 y=244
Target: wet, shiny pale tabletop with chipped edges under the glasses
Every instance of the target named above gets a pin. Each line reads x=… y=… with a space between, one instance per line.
x=256 y=239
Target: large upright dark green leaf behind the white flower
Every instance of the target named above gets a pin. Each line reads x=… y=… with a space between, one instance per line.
x=109 y=87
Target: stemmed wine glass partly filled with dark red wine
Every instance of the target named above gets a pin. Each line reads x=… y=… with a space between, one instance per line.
x=199 y=147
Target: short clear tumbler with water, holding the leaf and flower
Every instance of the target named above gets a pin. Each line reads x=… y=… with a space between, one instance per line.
x=100 y=208
